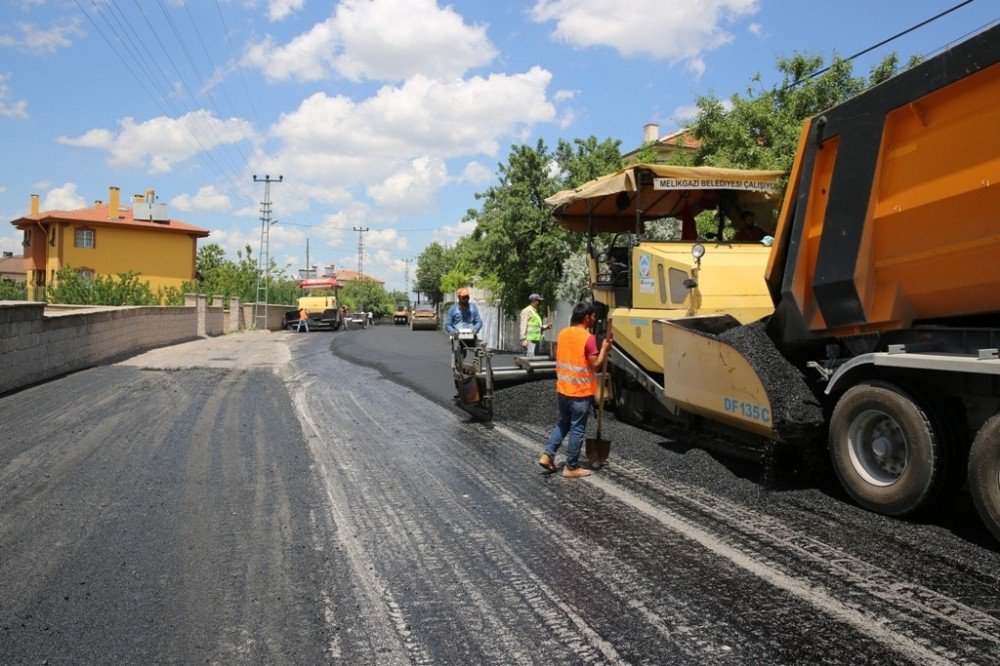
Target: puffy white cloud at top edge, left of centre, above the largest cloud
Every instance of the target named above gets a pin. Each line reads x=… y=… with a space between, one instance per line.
x=386 y=40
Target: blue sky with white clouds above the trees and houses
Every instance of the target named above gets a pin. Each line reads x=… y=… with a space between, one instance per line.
x=385 y=114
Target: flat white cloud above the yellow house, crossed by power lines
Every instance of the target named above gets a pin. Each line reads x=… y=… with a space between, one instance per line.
x=163 y=142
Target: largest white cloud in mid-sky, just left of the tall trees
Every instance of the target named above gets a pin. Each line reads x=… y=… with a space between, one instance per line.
x=392 y=144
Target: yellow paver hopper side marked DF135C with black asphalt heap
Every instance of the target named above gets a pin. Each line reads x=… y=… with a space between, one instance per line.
x=717 y=368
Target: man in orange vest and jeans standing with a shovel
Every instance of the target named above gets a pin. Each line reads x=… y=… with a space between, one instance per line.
x=577 y=357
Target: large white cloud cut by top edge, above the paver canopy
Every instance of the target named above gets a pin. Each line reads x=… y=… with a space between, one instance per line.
x=680 y=32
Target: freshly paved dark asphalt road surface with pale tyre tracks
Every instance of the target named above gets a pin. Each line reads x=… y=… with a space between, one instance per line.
x=314 y=498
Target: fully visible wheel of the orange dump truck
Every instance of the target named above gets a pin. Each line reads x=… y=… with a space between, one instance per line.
x=891 y=453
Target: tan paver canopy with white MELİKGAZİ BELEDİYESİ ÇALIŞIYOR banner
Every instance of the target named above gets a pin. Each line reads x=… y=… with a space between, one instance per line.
x=658 y=191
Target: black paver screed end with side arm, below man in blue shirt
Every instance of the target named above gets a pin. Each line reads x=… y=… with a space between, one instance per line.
x=476 y=378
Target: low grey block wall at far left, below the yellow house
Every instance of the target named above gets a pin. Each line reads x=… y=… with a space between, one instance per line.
x=36 y=345
